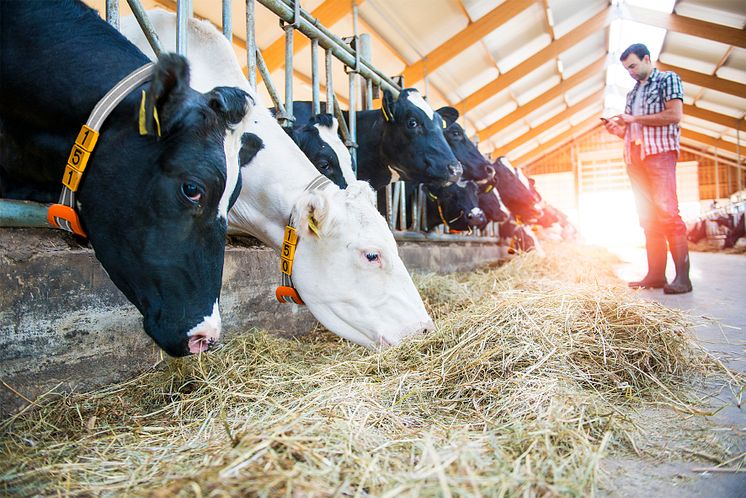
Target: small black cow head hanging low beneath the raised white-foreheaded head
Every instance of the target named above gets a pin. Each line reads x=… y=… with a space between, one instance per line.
x=456 y=206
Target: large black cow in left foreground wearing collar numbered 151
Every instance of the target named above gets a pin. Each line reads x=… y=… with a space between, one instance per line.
x=154 y=208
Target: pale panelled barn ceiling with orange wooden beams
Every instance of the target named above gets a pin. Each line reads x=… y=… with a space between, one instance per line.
x=529 y=75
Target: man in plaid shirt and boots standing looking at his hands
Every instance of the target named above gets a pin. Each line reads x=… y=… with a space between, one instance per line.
x=650 y=129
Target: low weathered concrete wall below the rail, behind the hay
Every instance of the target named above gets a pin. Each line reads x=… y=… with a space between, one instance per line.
x=63 y=322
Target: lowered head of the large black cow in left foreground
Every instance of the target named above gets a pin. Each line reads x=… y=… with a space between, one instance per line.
x=155 y=206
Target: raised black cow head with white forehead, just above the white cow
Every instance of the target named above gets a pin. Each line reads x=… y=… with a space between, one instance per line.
x=412 y=142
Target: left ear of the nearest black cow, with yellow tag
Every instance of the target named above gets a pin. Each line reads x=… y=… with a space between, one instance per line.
x=165 y=96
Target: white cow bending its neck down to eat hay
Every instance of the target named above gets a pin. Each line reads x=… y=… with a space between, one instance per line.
x=350 y=275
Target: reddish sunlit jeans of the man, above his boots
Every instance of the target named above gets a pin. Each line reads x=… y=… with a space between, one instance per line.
x=654 y=185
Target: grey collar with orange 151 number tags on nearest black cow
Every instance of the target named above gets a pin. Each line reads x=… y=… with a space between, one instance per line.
x=63 y=215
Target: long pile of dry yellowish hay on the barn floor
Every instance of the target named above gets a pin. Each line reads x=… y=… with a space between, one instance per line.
x=530 y=378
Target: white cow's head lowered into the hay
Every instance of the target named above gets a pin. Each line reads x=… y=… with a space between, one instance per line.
x=348 y=271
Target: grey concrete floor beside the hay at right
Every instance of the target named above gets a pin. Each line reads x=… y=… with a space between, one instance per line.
x=719 y=282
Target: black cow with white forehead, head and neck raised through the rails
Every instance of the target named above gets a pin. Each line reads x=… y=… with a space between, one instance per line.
x=404 y=136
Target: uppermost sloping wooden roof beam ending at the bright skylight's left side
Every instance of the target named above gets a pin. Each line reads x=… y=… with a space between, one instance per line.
x=589 y=27
